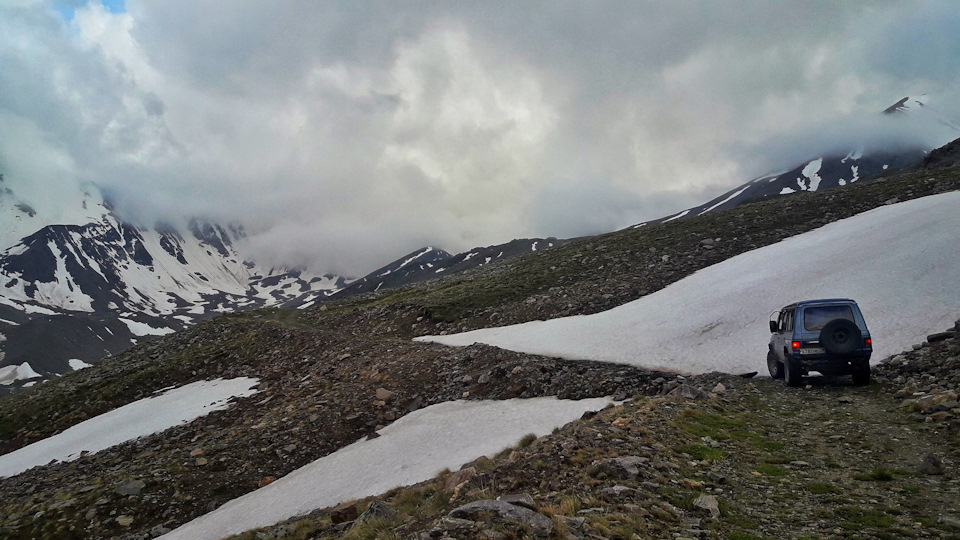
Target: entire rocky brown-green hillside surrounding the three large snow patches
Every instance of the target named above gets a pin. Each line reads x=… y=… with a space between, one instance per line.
x=320 y=370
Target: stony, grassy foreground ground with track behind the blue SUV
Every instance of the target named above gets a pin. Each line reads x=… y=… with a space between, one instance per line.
x=712 y=456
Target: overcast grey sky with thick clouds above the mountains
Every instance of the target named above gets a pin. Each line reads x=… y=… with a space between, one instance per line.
x=342 y=135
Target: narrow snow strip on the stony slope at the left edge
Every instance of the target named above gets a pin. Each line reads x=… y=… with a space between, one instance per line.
x=137 y=419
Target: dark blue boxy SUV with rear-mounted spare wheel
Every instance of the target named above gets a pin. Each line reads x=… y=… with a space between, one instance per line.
x=828 y=336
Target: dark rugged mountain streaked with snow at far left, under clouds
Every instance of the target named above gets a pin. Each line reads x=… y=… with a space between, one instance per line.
x=92 y=285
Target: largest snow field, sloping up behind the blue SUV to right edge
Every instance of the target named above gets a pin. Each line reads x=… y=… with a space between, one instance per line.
x=900 y=262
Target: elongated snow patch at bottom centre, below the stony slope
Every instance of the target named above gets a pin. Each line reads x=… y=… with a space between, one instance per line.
x=412 y=449
